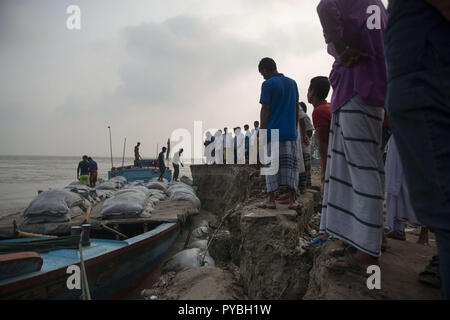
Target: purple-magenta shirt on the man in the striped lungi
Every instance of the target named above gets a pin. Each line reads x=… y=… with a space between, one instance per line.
x=347 y=20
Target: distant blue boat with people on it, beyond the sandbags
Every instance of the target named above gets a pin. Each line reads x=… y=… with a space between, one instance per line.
x=148 y=171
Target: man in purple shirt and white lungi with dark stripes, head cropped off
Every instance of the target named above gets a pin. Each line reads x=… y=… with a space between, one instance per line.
x=354 y=178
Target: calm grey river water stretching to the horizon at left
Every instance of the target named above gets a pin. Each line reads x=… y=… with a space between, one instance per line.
x=22 y=176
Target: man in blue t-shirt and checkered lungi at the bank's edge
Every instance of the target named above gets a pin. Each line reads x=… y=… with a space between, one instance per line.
x=279 y=100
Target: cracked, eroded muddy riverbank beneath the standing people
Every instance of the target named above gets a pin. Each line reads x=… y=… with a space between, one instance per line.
x=262 y=253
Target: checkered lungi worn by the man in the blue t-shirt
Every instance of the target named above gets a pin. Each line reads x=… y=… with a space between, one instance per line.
x=288 y=170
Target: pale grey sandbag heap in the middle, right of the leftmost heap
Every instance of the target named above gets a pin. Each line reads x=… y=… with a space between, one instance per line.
x=127 y=203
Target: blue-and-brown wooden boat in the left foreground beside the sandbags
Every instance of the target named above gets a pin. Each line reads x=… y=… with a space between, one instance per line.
x=112 y=266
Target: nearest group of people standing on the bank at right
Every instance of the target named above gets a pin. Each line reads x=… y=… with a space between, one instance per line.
x=382 y=79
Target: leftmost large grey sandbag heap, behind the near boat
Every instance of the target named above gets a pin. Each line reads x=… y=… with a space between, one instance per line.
x=54 y=205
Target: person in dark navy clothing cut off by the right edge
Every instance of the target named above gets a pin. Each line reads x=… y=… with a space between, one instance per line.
x=418 y=106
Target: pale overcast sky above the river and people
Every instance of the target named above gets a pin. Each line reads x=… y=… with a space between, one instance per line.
x=144 y=68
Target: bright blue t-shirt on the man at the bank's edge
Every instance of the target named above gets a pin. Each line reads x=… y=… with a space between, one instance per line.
x=281 y=94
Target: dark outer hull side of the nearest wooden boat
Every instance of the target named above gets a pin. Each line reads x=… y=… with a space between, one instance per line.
x=109 y=275
